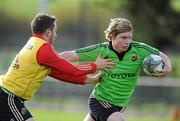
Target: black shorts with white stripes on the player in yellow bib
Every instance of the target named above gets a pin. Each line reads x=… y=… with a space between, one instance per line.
x=12 y=108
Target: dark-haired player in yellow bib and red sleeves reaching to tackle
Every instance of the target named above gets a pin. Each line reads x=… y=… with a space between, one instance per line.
x=33 y=63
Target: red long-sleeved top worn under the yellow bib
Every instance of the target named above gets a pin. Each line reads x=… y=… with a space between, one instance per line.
x=62 y=69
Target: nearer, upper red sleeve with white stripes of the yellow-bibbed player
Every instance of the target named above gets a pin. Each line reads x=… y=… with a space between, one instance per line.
x=46 y=56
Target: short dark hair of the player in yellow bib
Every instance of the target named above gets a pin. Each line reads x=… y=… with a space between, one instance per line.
x=41 y=22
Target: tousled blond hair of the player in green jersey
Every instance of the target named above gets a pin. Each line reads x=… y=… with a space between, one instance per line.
x=116 y=26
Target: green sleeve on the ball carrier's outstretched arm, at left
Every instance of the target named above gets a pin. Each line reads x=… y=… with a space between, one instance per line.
x=89 y=53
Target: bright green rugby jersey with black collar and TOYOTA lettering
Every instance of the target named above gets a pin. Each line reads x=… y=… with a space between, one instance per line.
x=118 y=86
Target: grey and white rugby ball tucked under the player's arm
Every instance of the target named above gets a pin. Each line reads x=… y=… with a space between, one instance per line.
x=152 y=64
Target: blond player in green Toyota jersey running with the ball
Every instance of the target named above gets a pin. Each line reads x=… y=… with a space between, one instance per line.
x=115 y=88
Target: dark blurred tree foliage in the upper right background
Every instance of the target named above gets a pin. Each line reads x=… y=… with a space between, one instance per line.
x=160 y=18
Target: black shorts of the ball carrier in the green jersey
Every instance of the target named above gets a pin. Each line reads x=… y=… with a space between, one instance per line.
x=100 y=110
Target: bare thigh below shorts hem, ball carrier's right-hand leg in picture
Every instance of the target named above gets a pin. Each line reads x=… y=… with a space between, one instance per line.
x=116 y=116
